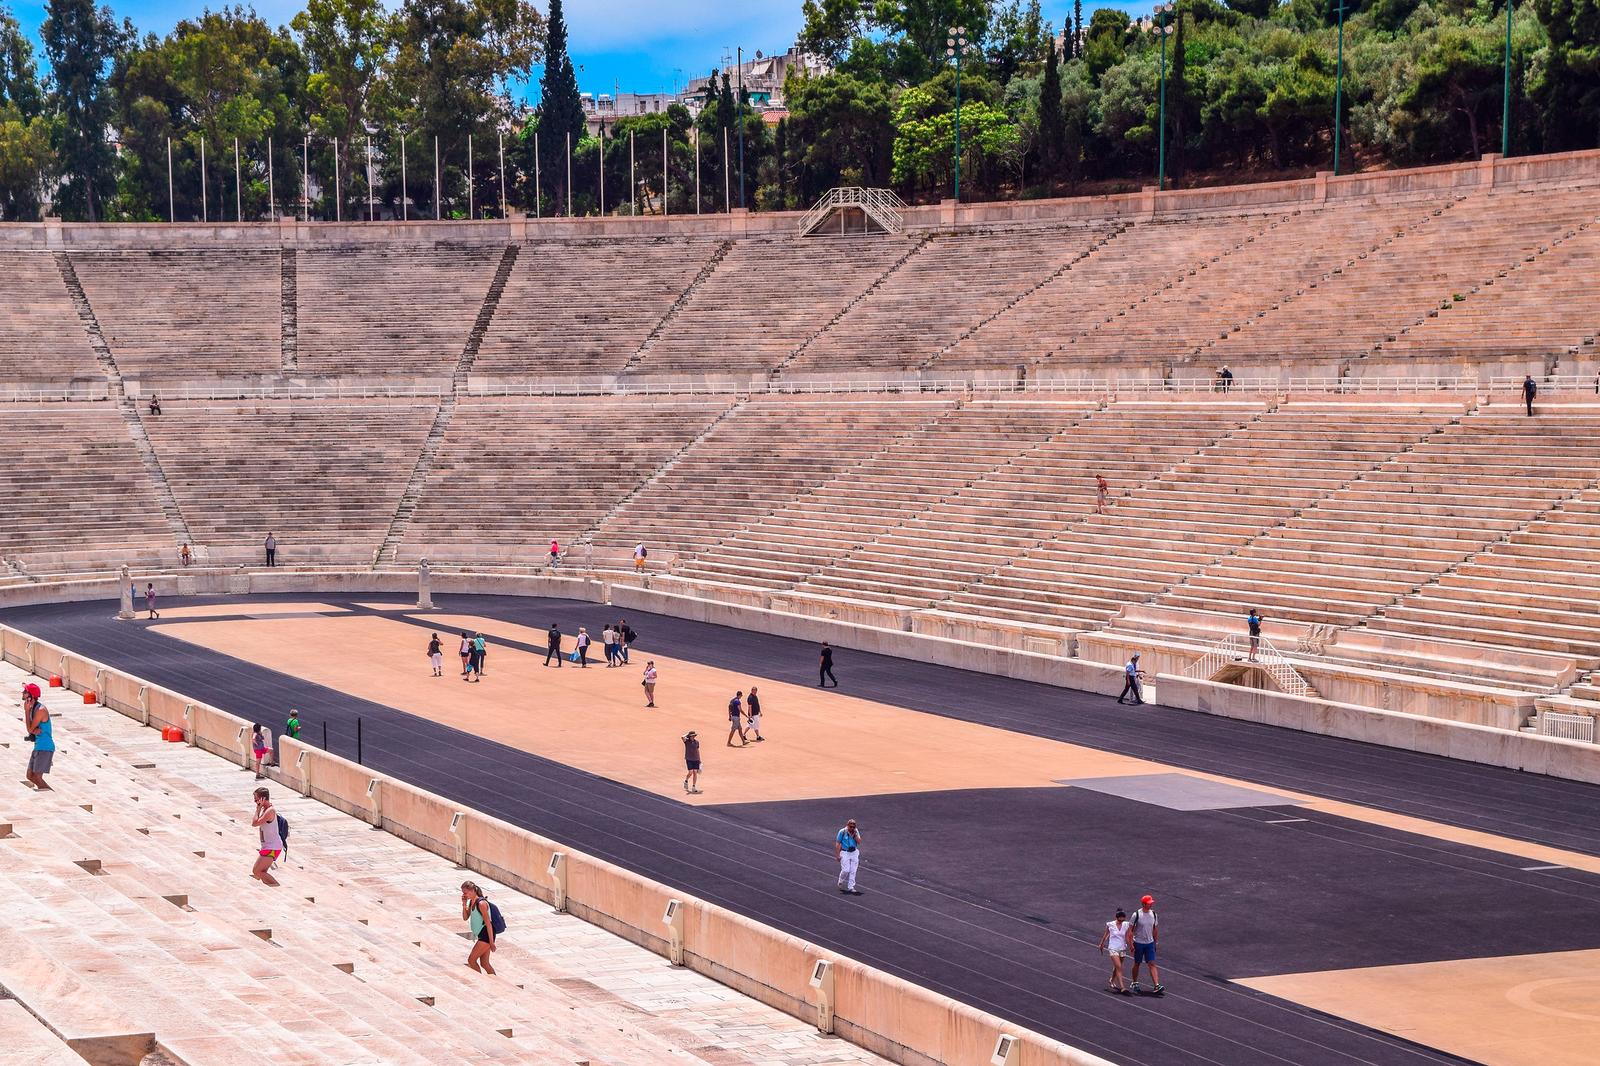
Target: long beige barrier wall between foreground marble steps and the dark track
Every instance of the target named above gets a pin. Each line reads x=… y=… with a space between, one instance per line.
x=878 y=1011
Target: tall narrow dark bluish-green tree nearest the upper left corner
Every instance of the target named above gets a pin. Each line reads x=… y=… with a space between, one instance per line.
x=81 y=42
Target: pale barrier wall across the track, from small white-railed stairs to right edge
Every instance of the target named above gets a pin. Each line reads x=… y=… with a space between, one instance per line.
x=1574 y=761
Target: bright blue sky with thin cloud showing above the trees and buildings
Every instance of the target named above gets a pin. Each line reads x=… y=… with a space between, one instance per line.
x=636 y=46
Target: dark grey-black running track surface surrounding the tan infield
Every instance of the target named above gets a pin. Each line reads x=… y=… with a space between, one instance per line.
x=998 y=897
